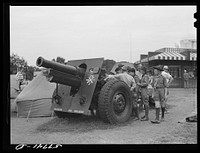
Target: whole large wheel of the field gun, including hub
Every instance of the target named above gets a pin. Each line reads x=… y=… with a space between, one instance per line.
x=115 y=102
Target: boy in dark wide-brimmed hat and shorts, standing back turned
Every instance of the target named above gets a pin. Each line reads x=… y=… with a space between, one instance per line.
x=159 y=85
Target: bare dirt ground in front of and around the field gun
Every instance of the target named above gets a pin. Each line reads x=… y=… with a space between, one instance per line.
x=91 y=130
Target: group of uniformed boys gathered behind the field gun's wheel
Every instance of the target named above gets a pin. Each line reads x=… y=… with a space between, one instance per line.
x=145 y=85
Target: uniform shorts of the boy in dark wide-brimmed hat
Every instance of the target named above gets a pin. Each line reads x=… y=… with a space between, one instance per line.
x=159 y=95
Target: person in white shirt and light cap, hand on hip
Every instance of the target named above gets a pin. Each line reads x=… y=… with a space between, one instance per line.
x=169 y=79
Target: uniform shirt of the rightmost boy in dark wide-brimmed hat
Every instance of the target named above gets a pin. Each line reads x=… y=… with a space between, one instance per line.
x=159 y=82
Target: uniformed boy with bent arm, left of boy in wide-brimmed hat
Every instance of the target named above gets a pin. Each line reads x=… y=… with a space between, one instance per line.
x=144 y=93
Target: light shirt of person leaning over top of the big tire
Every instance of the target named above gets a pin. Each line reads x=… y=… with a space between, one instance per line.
x=128 y=79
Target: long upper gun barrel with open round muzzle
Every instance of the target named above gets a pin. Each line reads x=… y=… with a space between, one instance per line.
x=69 y=69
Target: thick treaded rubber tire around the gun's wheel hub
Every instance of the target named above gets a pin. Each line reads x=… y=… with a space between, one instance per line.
x=105 y=108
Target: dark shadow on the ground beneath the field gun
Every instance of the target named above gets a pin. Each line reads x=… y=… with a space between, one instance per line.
x=76 y=124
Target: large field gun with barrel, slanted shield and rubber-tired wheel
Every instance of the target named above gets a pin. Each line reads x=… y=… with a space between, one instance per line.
x=81 y=88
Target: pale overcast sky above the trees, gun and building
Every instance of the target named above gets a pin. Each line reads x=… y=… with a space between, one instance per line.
x=120 y=33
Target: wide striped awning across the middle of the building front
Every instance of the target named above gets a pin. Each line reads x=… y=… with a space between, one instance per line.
x=168 y=56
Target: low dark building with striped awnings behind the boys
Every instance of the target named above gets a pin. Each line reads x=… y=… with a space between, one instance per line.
x=177 y=59
